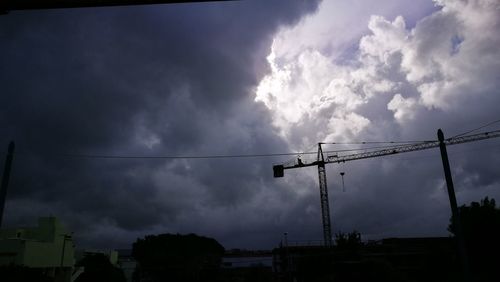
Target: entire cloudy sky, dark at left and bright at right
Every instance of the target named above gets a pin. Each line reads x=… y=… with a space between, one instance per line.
x=242 y=78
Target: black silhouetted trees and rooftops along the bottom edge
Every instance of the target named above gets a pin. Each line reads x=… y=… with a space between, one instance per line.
x=192 y=258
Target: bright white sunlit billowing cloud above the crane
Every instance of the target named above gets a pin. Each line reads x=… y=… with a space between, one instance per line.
x=446 y=59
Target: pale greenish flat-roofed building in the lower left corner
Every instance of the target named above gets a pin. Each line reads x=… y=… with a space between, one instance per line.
x=49 y=246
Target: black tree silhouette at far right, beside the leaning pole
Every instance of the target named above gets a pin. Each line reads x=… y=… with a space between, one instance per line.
x=481 y=228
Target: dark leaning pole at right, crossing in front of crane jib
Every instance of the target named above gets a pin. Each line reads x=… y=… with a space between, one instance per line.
x=455 y=217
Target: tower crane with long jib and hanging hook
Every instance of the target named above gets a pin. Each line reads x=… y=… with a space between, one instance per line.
x=337 y=157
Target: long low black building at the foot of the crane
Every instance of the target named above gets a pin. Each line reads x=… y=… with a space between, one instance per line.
x=393 y=259
